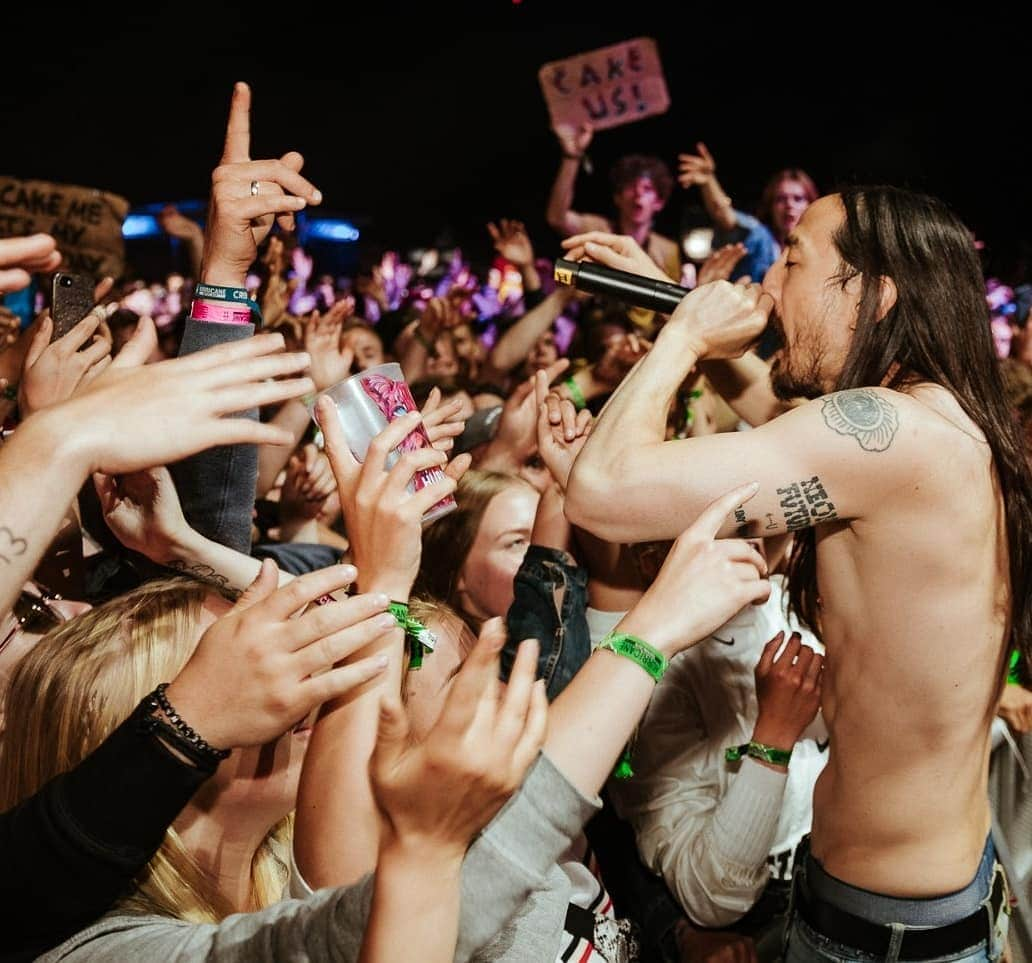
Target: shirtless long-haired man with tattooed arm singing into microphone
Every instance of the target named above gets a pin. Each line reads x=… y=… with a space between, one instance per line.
x=910 y=494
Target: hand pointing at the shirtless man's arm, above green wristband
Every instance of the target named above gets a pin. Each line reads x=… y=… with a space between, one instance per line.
x=704 y=582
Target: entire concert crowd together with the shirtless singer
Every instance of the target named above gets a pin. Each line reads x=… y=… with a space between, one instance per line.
x=722 y=654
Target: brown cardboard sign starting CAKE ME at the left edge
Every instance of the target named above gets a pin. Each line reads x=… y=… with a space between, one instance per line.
x=86 y=222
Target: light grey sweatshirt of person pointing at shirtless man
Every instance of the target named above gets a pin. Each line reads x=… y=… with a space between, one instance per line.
x=514 y=900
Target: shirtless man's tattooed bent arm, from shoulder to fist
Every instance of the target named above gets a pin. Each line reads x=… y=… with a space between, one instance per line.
x=831 y=460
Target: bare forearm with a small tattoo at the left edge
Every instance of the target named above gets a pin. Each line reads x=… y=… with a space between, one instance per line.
x=41 y=474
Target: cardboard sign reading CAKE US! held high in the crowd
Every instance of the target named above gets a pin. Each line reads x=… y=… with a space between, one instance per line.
x=606 y=88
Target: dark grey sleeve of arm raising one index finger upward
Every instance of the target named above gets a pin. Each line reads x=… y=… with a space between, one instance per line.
x=217 y=488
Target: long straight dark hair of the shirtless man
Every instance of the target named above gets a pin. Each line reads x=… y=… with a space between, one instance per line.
x=938 y=332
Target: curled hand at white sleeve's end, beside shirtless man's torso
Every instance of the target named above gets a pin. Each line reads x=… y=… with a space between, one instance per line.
x=788 y=691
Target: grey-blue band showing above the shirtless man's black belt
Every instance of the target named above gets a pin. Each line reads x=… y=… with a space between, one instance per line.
x=939 y=911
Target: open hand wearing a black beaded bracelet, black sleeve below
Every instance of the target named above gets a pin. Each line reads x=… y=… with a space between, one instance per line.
x=262 y=668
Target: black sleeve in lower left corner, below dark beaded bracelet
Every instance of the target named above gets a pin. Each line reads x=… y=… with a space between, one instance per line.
x=71 y=851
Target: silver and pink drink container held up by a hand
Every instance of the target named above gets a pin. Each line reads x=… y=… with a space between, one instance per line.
x=366 y=404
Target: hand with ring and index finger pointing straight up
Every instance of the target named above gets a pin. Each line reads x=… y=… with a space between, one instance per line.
x=247 y=197
